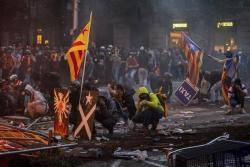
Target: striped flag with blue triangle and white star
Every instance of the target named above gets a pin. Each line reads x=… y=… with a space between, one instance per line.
x=194 y=56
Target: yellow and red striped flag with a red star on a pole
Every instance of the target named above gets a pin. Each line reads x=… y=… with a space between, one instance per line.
x=76 y=53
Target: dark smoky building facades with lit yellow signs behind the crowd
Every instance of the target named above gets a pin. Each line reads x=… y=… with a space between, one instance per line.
x=214 y=25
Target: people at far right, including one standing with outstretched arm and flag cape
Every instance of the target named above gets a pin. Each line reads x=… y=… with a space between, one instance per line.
x=226 y=83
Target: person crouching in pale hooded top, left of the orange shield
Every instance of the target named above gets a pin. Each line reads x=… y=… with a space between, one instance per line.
x=36 y=103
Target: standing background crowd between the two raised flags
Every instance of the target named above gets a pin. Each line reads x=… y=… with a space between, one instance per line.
x=137 y=66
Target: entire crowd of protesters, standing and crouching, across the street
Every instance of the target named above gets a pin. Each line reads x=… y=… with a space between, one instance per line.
x=29 y=75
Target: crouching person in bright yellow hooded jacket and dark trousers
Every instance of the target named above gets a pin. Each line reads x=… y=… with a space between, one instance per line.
x=149 y=109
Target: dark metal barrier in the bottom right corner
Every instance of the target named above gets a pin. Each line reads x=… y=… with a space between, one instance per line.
x=218 y=153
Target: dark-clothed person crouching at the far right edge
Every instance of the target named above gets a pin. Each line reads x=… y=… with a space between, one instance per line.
x=236 y=95
